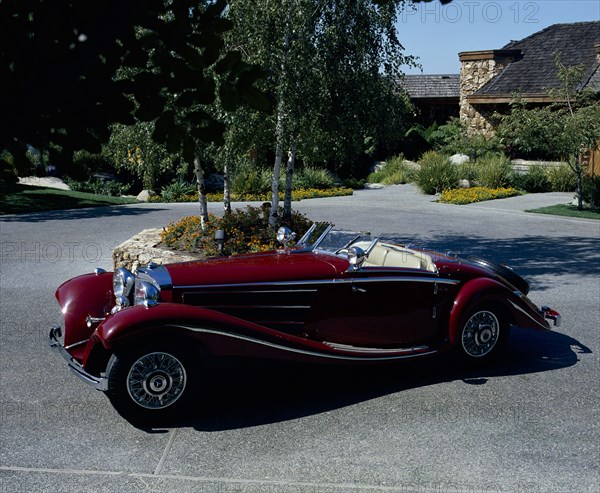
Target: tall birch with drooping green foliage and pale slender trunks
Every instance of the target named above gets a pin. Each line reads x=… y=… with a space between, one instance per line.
x=332 y=67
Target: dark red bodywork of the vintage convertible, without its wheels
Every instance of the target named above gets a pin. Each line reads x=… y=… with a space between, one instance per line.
x=297 y=304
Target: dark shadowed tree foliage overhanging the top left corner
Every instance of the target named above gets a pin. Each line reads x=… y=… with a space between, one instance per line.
x=71 y=69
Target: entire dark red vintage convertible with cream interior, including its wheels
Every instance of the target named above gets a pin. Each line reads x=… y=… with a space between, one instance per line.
x=142 y=337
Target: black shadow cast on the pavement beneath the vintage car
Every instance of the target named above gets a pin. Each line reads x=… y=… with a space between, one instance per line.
x=255 y=396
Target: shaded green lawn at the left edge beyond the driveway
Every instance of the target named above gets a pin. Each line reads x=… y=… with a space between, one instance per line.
x=22 y=198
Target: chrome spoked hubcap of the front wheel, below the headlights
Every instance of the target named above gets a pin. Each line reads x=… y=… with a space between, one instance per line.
x=156 y=380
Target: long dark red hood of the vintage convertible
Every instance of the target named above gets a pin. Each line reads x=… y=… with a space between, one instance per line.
x=269 y=267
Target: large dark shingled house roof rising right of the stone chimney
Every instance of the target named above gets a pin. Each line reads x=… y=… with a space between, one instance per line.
x=535 y=71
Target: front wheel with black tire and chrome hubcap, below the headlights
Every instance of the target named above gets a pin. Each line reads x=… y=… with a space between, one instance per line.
x=150 y=384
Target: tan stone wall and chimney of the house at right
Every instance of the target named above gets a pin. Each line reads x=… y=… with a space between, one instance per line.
x=476 y=70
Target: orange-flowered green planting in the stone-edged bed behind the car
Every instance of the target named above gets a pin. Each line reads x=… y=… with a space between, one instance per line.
x=247 y=230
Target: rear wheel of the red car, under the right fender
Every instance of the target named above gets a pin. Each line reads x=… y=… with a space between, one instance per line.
x=484 y=334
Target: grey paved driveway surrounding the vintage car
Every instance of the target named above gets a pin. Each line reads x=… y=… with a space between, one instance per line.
x=529 y=424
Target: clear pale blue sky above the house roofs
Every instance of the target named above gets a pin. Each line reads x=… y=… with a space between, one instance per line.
x=437 y=33
